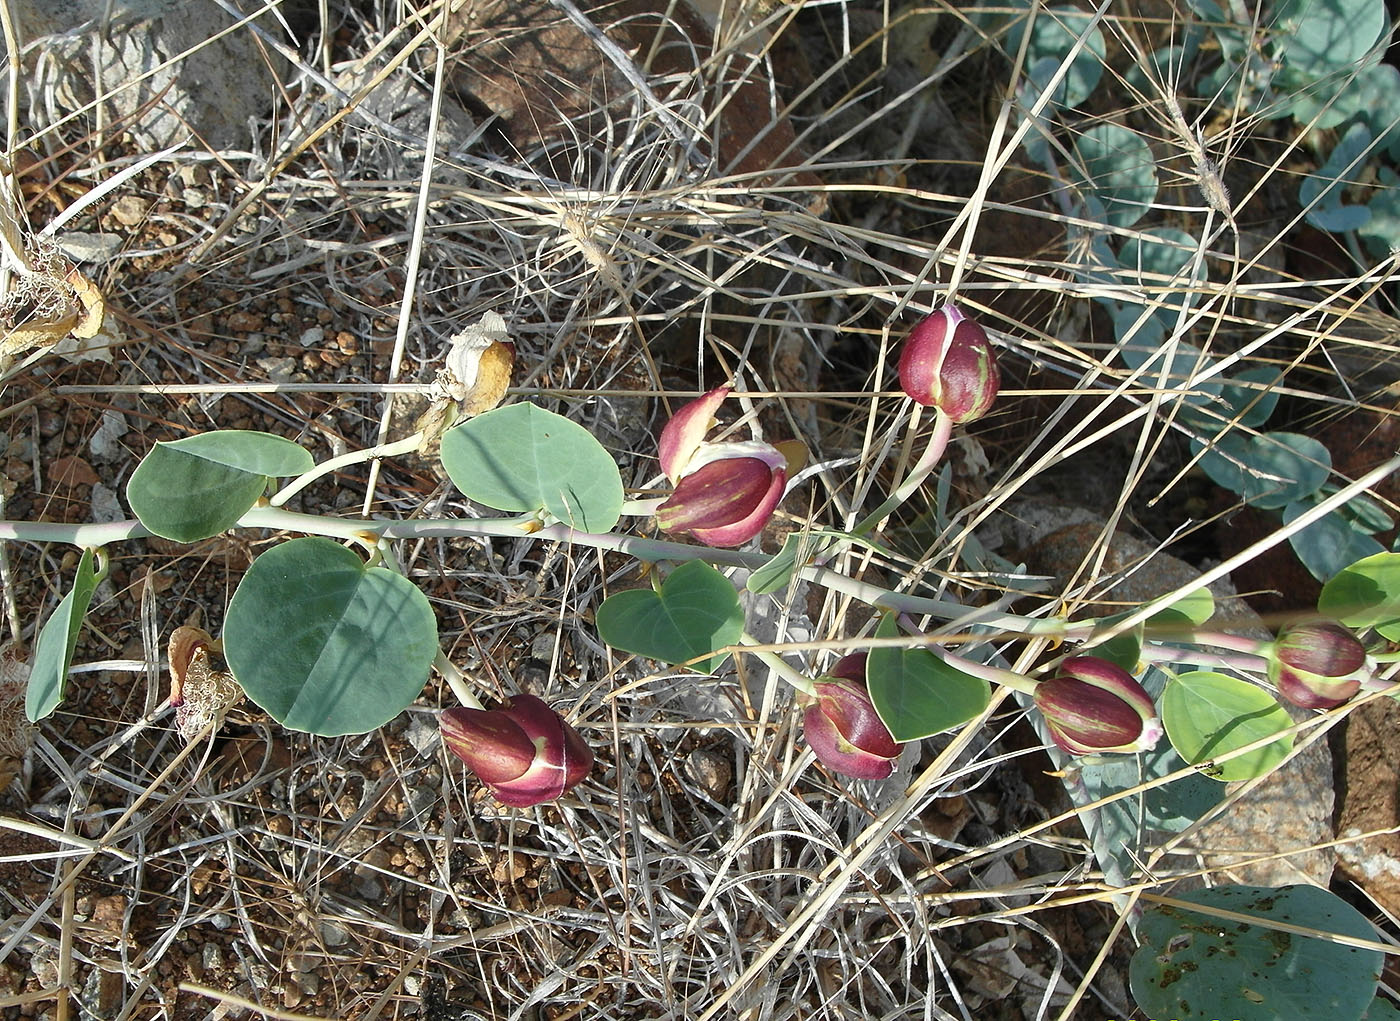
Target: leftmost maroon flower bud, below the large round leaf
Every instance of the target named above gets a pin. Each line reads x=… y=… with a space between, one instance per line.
x=523 y=751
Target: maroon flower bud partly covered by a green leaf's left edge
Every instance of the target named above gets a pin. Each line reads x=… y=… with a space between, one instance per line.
x=843 y=728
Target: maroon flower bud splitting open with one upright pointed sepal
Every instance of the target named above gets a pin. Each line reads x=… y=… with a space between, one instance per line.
x=726 y=492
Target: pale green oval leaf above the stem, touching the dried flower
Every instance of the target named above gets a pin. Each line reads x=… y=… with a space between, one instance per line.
x=524 y=459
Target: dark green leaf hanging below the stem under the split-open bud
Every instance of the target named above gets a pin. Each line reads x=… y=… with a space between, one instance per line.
x=695 y=613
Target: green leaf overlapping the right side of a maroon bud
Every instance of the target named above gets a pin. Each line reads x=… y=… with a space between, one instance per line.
x=916 y=694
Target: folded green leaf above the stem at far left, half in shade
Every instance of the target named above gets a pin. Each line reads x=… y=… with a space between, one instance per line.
x=197 y=488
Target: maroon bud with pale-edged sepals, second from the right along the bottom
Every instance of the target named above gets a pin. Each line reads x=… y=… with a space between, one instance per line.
x=1097 y=707
